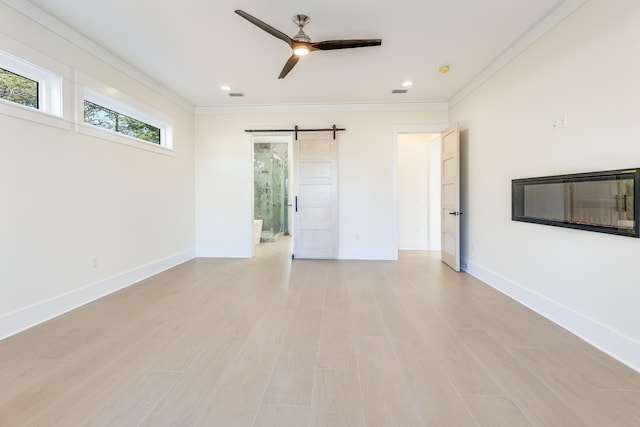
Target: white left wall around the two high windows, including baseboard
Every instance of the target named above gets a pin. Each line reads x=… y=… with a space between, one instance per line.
x=67 y=197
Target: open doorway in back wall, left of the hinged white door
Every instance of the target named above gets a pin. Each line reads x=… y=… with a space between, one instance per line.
x=418 y=193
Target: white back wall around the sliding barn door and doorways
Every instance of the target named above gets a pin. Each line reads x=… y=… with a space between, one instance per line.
x=366 y=177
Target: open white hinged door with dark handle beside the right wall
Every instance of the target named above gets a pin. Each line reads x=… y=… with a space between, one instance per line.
x=451 y=198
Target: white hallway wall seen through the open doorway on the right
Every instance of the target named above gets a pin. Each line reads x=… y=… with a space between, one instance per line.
x=413 y=191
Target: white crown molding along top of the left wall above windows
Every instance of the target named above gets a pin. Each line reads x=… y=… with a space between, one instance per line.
x=41 y=17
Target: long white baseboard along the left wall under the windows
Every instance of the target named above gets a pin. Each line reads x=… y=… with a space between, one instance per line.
x=19 y=320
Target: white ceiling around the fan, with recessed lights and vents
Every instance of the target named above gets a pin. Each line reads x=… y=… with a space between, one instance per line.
x=195 y=46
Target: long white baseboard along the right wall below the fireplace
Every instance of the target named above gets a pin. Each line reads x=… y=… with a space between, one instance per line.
x=616 y=345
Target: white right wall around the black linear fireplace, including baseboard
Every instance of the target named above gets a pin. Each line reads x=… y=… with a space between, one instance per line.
x=586 y=68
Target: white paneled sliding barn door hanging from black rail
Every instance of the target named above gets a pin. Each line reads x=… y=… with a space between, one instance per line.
x=316 y=196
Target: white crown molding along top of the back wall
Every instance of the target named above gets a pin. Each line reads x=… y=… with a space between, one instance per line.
x=322 y=108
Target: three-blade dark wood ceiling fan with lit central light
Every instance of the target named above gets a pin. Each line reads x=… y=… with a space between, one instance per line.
x=301 y=44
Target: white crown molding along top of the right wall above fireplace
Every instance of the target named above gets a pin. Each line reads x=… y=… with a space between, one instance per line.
x=545 y=24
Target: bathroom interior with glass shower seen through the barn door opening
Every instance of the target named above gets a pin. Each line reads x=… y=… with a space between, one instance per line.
x=271 y=191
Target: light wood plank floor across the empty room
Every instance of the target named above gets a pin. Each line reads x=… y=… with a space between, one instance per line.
x=271 y=342
